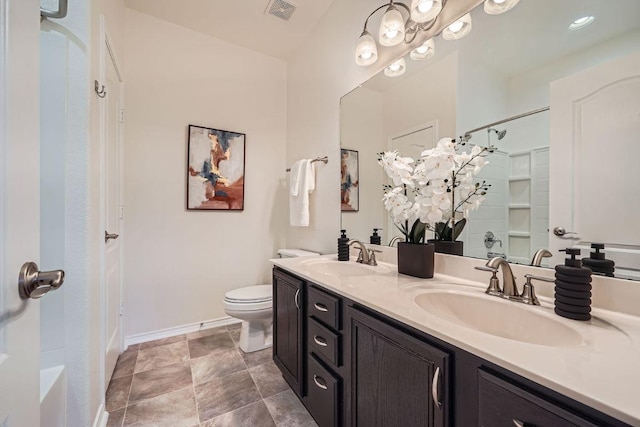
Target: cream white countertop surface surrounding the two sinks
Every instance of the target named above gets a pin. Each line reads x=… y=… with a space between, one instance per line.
x=603 y=372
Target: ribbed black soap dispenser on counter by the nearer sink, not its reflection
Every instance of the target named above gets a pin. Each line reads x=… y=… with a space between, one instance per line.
x=573 y=288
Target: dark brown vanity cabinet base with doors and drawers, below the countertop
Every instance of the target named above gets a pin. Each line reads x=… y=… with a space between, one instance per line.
x=352 y=366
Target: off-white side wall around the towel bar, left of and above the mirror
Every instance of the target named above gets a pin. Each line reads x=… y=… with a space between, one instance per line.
x=320 y=72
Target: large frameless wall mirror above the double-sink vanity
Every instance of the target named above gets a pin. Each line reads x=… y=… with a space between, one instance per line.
x=505 y=84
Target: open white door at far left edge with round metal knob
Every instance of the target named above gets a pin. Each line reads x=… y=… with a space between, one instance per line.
x=19 y=210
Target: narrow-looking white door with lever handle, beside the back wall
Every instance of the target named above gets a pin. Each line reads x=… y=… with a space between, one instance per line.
x=111 y=134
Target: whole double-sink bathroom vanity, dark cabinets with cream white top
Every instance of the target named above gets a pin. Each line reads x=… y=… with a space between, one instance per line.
x=359 y=347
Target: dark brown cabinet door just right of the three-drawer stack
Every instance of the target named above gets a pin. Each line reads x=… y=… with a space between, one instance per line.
x=396 y=379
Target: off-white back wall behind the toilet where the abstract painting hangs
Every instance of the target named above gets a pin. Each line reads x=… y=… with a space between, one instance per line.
x=178 y=264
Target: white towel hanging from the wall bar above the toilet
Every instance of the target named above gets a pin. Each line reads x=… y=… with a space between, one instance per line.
x=302 y=182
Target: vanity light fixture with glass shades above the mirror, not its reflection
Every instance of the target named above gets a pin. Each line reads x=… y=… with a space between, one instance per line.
x=395 y=29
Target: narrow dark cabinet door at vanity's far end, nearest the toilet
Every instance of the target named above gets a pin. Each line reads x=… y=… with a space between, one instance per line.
x=287 y=328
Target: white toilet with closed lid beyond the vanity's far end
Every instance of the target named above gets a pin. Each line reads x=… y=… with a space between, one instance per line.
x=253 y=305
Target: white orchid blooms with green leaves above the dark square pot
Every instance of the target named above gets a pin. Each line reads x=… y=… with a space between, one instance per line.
x=443 y=187
